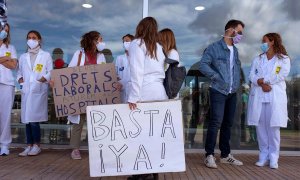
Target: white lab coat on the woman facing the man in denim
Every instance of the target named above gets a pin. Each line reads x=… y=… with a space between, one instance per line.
x=278 y=97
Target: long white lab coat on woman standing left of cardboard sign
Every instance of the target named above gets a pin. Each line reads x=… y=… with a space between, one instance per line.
x=34 y=93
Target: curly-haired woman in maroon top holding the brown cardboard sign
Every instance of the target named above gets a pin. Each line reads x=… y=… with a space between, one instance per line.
x=92 y=45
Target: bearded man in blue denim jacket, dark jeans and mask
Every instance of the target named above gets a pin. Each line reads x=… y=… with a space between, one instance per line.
x=221 y=64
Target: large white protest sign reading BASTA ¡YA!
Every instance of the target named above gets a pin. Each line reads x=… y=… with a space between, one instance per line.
x=146 y=140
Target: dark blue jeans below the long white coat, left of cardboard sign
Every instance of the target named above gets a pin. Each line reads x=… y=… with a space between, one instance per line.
x=33 y=133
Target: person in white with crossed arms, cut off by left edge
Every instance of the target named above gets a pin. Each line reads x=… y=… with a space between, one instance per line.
x=8 y=62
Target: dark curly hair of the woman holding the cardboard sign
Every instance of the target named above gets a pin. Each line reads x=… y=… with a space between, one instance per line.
x=88 y=41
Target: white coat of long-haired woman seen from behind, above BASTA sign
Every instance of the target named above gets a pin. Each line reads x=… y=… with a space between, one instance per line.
x=146 y=74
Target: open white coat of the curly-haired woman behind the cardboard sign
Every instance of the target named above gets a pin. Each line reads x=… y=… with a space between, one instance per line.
x=100 y=60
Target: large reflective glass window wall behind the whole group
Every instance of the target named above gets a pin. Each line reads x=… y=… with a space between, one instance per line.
x=62 y=22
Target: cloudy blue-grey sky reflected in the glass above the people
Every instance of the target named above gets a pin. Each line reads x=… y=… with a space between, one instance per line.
x=62 y=22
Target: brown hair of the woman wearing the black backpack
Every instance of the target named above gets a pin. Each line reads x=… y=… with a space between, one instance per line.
x=167 y=40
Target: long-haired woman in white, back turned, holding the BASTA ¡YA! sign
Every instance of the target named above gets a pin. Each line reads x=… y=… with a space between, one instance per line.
x=146 y=59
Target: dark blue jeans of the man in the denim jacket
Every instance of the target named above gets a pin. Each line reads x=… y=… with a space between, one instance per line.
x=222 y=109
